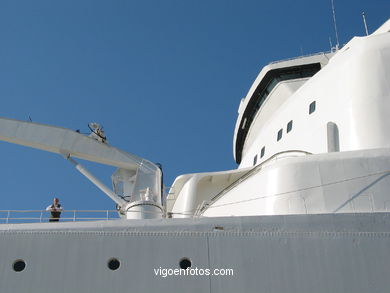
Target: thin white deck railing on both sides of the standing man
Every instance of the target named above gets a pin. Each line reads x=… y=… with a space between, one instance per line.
x=41 y=216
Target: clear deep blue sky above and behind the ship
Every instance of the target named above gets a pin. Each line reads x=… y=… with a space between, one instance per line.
x=164 y=78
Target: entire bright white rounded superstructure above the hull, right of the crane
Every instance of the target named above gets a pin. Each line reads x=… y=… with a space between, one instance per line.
x=311 y=135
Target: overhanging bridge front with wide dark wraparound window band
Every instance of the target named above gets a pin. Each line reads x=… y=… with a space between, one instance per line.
x=275 y=83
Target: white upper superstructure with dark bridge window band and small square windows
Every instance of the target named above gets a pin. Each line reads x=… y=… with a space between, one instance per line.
x=335 y=101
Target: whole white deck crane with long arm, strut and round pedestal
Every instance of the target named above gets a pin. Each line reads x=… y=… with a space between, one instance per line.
x=137 y=182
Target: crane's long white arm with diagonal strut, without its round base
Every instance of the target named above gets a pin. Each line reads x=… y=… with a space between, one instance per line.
x=69 y=143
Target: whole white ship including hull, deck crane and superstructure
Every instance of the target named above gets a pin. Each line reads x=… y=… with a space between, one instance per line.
x=307 y=209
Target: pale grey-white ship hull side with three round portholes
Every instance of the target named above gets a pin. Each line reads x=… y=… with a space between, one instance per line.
x=296 y=253
